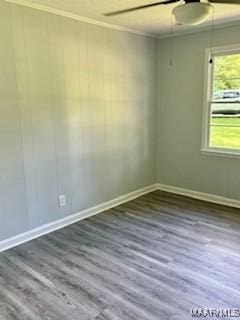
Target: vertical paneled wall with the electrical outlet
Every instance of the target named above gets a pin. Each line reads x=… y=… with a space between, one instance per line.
x=77 y=116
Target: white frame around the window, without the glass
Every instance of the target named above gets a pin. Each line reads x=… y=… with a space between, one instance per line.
x=208 y=88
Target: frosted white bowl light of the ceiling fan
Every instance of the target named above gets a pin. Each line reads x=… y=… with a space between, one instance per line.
x=192 y=13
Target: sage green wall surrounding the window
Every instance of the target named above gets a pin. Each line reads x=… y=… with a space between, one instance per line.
x=180 y=88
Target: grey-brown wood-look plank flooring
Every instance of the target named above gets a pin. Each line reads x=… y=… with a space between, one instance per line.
x=153 y=258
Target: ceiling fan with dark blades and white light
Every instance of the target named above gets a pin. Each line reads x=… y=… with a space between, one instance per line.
x=189 y=12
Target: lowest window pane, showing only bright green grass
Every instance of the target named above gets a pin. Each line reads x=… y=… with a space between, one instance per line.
x=225 y=137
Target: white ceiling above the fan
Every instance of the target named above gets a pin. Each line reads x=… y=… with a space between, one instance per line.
x=154 y=20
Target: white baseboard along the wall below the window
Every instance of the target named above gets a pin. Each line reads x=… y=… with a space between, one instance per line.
x=200 y=195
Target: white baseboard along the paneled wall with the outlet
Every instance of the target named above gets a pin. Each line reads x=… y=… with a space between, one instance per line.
x=59 y=224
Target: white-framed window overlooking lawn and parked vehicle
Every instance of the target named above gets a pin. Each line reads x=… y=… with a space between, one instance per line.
x=221 y=128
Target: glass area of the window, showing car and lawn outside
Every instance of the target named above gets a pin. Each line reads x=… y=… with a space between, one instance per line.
x=225 y=105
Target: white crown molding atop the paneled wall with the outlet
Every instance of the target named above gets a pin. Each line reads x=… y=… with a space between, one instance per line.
x=63 y=13
